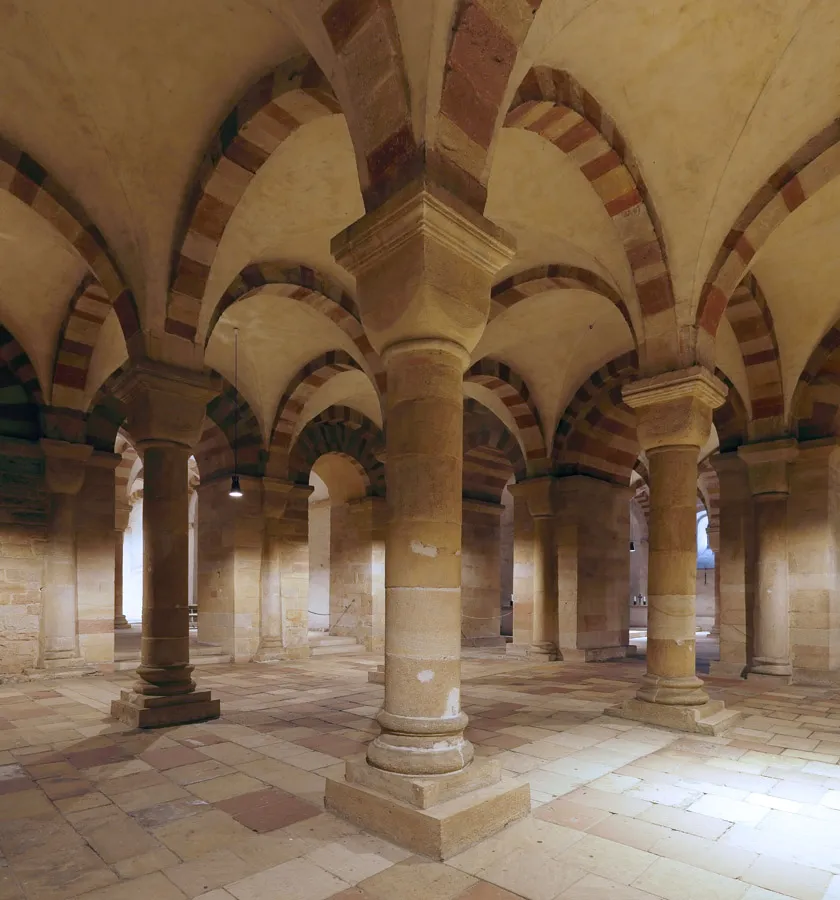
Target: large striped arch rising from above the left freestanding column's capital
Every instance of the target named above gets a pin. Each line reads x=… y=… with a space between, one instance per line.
x=271 y=110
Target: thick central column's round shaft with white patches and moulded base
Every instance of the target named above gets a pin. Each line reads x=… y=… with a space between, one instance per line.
x=422 y=723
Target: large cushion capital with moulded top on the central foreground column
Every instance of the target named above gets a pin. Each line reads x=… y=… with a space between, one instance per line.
x=424 y=264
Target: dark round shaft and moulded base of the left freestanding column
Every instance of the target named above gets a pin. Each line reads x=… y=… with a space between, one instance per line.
x=164 y=649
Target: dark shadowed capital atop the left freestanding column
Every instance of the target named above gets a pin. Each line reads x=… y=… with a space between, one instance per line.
x=165 y=404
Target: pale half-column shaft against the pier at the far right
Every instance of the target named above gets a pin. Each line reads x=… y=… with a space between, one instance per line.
x=771 y=648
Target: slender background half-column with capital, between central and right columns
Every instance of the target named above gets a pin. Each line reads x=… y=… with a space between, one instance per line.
x=538 y=494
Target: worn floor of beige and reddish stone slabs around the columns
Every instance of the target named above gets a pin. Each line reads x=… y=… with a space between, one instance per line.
x=233 y=808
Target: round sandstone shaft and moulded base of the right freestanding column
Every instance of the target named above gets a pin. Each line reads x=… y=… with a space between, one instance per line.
x=672 y=564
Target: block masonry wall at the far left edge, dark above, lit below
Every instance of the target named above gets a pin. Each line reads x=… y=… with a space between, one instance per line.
x=23 y=516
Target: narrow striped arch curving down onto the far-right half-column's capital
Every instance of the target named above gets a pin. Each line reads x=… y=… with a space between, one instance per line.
x=752 y=322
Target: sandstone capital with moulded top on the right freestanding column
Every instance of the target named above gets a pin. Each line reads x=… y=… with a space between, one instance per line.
x=675 y=408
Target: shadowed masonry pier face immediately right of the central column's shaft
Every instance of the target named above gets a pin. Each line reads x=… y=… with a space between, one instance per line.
x=480 y=573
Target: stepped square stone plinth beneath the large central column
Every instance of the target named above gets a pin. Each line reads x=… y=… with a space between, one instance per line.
x=436 y=816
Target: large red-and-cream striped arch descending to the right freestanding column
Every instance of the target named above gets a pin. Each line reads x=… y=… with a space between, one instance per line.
x=553 y=105
